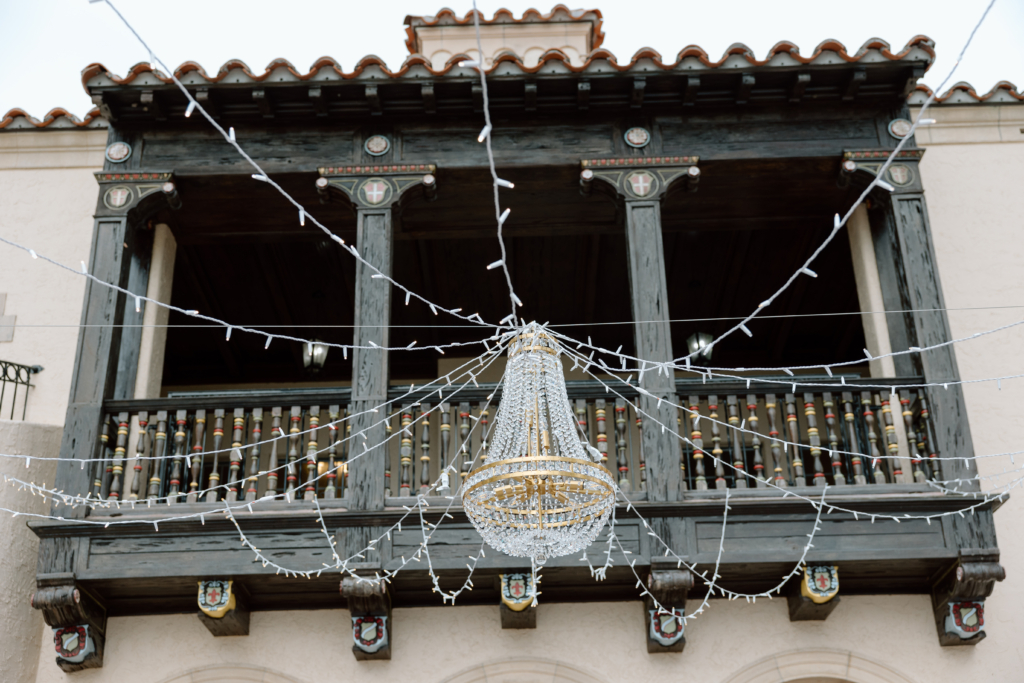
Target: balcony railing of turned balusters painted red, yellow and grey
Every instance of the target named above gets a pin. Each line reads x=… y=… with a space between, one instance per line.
x=245 y=446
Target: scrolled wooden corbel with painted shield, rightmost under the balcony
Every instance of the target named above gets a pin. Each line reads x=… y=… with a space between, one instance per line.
x=959 y=597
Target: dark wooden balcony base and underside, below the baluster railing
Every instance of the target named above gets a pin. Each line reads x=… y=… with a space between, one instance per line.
x=138 y=571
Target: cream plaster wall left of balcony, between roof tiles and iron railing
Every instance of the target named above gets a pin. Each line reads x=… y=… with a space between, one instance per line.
x=48 y=195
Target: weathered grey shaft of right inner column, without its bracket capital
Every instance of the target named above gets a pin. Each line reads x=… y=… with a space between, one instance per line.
x=654 y=343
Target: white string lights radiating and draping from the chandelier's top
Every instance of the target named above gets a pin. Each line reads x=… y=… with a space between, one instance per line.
x=495 y=345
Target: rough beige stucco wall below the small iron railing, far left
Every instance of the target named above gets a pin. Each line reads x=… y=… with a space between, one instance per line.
x=22 y=626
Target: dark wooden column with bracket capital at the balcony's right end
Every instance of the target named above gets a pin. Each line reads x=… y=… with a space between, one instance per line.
x=910 y=280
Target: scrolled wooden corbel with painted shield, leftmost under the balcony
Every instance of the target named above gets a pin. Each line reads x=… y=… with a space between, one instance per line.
x=77 y=618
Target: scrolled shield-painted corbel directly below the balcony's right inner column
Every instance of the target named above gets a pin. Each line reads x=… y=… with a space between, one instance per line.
x=666 y=627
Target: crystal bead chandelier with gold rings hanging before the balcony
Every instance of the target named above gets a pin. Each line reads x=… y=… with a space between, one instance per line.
x=540 y=494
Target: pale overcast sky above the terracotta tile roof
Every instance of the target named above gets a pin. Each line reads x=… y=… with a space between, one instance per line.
x=46 y=46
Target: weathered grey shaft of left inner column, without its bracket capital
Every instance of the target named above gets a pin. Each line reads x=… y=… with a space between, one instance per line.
x=370 y=367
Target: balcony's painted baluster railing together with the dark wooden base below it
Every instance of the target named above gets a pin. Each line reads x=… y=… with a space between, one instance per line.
x=283 y=445
